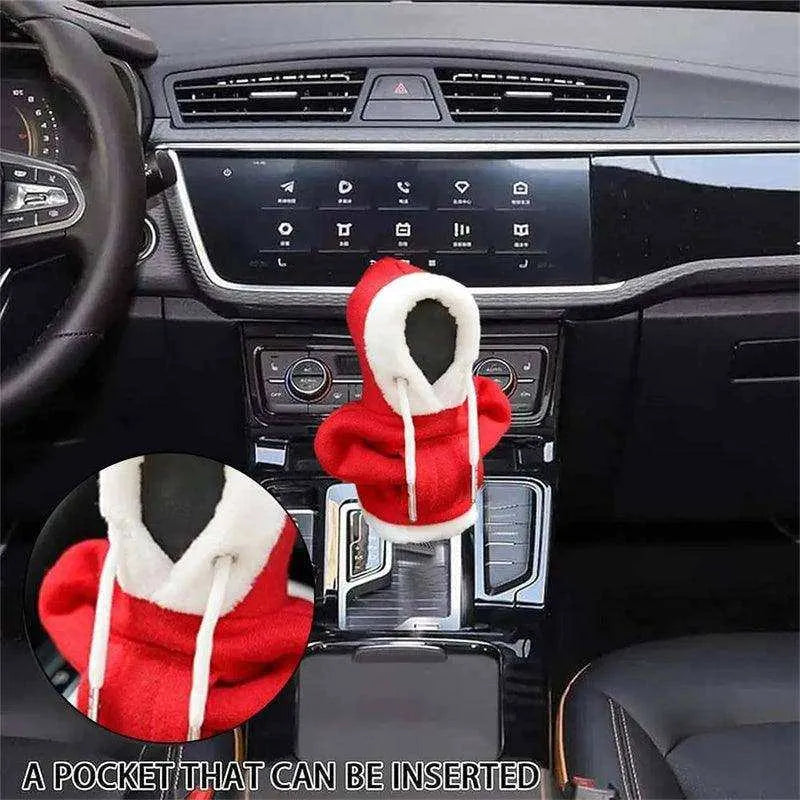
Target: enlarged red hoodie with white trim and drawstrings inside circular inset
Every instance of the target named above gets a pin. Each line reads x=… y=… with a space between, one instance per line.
x=156 y=608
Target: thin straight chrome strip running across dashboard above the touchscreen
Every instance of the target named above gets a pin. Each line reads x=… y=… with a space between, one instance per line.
x=577 y=148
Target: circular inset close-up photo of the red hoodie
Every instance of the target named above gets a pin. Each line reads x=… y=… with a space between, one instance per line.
x=169 y=598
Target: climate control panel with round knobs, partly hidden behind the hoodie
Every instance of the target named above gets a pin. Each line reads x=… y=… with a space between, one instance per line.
x=316 y=381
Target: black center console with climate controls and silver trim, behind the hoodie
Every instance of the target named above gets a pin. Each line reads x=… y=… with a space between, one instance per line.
x=414 y=626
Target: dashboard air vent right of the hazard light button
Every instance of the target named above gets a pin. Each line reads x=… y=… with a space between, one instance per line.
x=532 y=97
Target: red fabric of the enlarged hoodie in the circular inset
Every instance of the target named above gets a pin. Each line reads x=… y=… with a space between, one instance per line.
x=257 y=646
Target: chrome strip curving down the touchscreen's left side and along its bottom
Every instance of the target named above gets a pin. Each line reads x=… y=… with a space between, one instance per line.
x=342 y=291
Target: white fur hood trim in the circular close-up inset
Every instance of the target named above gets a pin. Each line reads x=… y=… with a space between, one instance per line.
x=246 y=524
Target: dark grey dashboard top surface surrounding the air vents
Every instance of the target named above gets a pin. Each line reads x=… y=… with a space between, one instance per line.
x=718 y=76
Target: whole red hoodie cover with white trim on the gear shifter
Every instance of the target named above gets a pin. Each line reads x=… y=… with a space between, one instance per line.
x=413 y=448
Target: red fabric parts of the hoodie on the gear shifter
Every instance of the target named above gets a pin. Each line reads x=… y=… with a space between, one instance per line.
x=363 y=441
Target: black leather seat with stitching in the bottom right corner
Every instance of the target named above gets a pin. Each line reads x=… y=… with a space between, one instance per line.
x=698 y=717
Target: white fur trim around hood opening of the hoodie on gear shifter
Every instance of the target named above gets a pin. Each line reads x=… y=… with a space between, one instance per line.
x=387 y=351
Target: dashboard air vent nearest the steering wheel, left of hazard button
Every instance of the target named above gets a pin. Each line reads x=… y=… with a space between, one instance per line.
x=297 y=96
